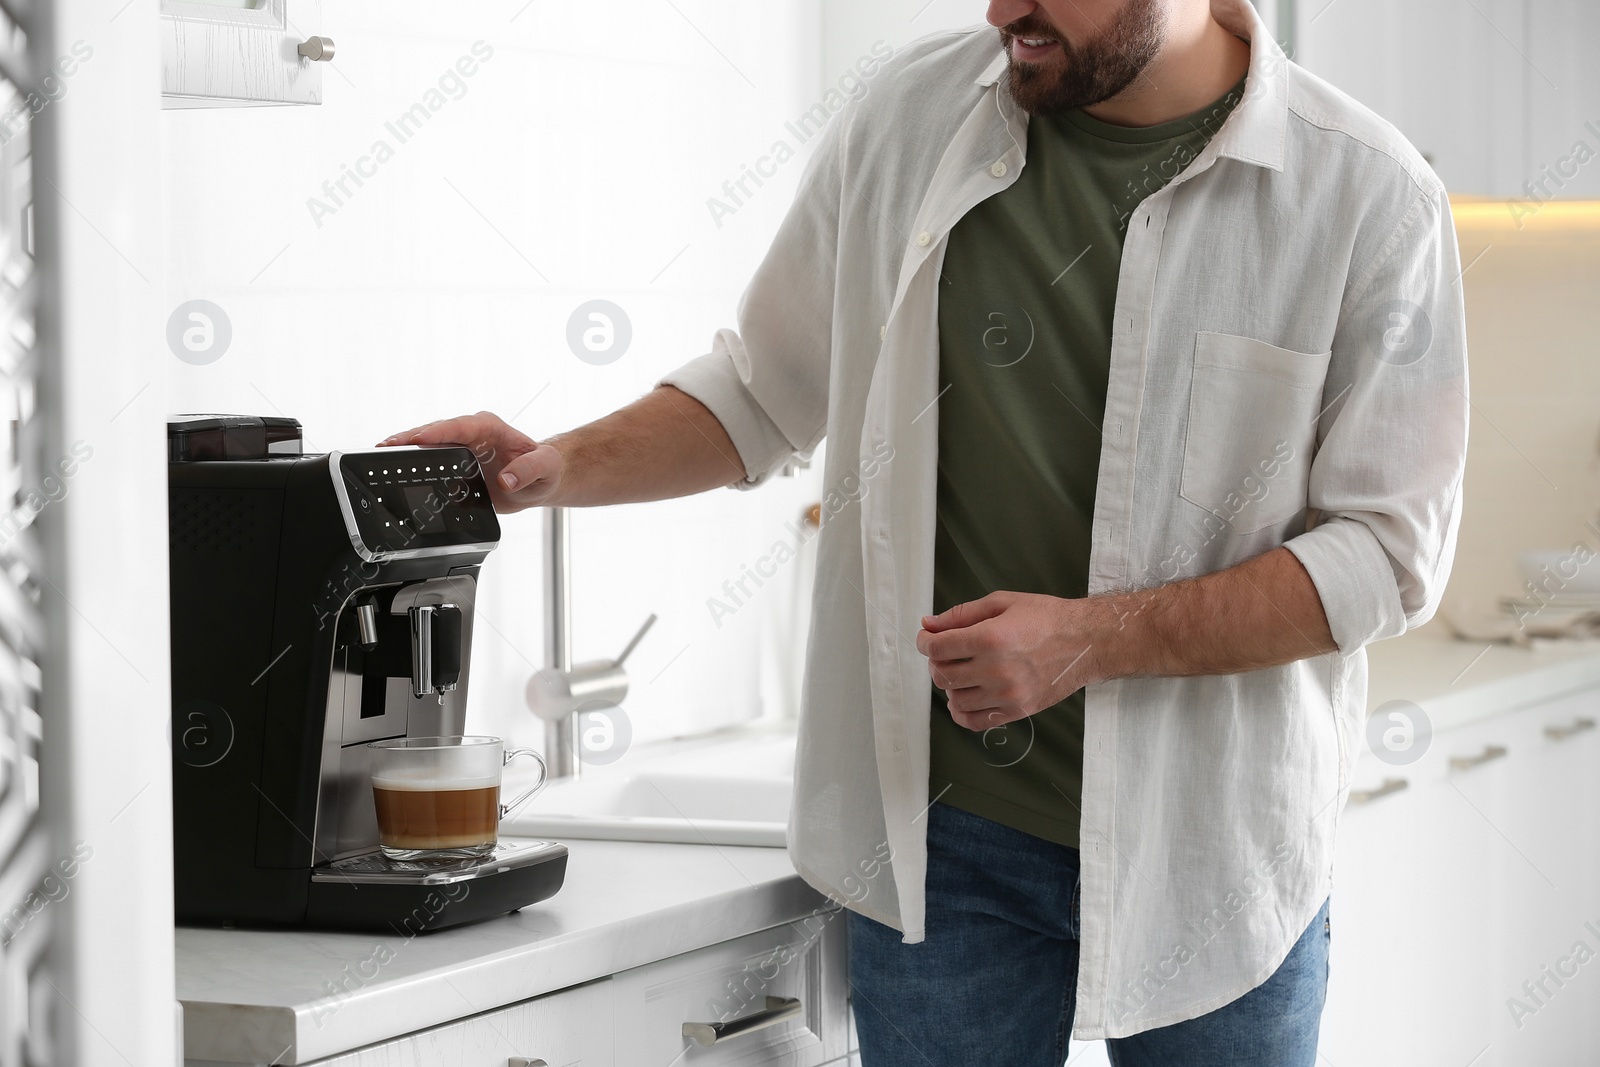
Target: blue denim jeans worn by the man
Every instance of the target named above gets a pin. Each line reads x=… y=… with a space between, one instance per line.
x=996 y=980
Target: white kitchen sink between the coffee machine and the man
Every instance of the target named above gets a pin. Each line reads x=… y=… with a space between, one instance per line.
x=694 y=793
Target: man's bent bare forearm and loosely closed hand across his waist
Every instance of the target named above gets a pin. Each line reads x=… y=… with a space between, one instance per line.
x=1014 y=655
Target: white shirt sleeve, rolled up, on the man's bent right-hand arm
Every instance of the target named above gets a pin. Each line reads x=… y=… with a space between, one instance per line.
x=1386 y=479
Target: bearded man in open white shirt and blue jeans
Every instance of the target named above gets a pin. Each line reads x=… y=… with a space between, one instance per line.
x=1140 y=354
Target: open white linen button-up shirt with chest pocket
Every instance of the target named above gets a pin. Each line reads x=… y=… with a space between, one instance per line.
x=1287 y=369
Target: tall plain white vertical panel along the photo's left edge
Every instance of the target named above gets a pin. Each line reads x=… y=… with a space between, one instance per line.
x=106 y=700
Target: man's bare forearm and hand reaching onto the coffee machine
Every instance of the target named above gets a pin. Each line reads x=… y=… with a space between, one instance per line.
x=666 y=444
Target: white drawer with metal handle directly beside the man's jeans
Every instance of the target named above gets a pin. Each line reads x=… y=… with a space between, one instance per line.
x=732 y=981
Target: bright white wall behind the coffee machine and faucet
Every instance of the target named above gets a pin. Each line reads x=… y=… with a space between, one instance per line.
x=575 y=164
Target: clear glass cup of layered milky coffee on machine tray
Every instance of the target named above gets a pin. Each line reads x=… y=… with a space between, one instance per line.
x=439 y=797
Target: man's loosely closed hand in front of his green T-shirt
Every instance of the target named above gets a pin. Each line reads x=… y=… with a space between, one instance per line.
x=1012 y=655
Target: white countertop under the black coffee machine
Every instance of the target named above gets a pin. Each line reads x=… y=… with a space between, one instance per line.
x=281 y=997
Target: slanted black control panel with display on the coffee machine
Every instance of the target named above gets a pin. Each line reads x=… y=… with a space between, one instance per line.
x=423 y=498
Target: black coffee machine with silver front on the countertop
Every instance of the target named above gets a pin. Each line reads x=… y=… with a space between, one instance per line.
x=321 y=602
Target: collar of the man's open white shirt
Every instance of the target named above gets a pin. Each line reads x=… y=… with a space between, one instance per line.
x=1257 y=129
